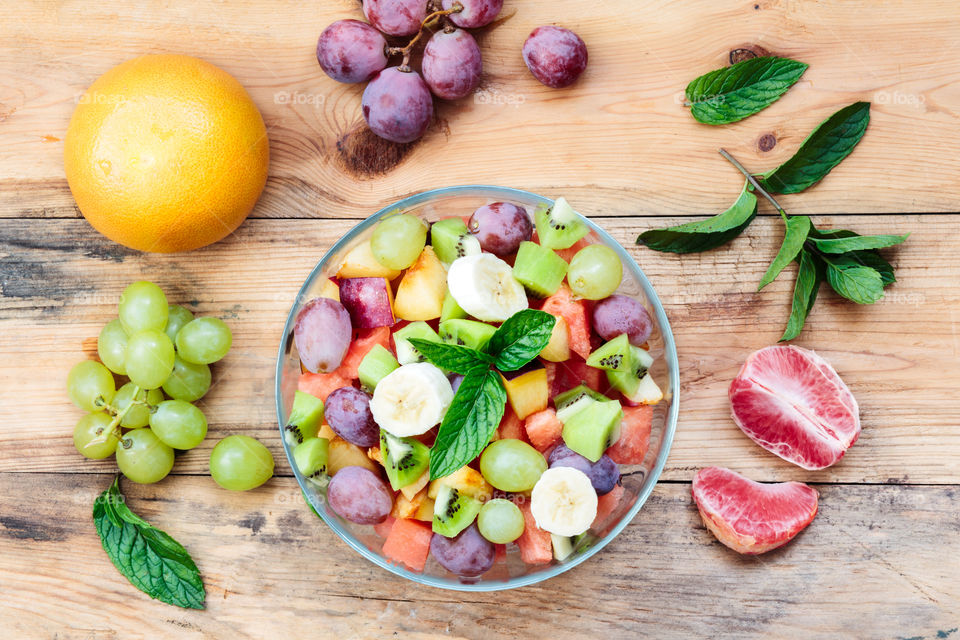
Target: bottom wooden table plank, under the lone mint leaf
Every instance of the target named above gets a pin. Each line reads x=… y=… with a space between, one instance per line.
x=871 y=565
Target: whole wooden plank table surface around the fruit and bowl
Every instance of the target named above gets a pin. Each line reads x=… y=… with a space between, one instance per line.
x=881 y=559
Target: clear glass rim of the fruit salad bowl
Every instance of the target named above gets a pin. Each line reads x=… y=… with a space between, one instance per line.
x=670 y=354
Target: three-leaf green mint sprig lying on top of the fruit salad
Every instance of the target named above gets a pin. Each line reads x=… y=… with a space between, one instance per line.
x=480 y=401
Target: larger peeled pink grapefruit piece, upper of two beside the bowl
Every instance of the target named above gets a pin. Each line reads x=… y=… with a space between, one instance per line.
x=792 y=403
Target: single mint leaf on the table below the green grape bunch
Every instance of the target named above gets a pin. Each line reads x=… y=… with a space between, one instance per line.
x=150 y=559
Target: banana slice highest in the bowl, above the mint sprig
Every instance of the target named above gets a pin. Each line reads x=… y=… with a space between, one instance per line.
x=483 y=286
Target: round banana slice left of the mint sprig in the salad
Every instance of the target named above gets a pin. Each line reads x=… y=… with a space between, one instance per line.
x=410 y=400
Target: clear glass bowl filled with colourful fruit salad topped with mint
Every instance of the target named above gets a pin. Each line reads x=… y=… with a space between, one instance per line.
x=477 y=388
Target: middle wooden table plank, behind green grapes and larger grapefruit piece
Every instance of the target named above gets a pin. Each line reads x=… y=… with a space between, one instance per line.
x=61 y=282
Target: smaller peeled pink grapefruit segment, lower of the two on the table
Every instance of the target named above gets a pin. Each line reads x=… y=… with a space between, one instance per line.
x=750 y=517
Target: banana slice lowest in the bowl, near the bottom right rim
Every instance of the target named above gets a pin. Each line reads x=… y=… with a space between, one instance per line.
x=564 y=501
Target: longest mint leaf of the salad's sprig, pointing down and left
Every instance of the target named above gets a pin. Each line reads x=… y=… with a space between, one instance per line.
x=473 y=416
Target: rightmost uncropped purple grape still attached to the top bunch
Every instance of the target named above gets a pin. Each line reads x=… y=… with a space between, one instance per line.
x=451 y=64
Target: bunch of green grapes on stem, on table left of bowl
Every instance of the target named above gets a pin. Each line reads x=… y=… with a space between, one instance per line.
x=164 y=352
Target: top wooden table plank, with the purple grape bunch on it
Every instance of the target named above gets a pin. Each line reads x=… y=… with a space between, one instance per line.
x=618 y=143
